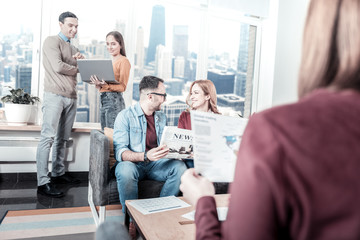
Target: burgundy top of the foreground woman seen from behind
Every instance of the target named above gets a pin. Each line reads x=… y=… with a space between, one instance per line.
x=297 y=175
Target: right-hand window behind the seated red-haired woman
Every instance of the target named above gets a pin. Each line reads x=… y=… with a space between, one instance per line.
x=231 y=57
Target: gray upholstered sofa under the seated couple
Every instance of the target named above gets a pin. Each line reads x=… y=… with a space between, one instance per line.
x=102 y=182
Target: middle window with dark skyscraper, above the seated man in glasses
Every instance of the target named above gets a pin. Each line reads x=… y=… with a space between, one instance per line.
x=167 y=41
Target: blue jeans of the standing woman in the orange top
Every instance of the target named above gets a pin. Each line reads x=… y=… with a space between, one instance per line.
x=111 y=104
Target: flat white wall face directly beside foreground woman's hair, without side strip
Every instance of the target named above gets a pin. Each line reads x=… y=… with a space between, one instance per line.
x=291 y=20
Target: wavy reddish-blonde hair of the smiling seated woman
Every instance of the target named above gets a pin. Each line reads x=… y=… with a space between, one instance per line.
x=209 y=89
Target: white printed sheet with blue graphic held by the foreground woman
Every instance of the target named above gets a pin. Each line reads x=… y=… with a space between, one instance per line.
x=216 y=142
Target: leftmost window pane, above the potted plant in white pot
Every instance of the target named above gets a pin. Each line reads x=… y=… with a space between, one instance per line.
x=19 y=28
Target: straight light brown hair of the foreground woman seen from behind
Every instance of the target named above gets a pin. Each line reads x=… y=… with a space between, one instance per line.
x=331 y=46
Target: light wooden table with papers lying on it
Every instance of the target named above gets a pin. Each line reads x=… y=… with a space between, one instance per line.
x=165 y=225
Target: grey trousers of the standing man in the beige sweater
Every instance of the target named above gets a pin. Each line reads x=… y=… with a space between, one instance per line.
x=58 y=118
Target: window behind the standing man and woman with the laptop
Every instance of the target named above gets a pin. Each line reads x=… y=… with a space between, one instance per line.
x=90 y=39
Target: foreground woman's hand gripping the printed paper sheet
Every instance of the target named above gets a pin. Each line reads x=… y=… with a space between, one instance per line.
x=194 y=186
